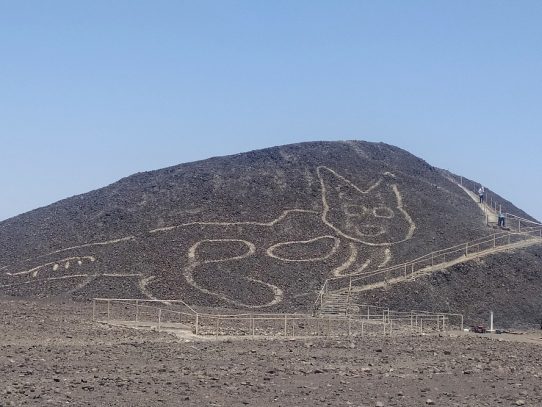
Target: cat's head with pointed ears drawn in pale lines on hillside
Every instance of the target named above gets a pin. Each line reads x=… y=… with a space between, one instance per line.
x=374 y=216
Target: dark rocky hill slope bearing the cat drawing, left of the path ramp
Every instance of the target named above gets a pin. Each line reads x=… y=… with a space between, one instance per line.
x=261 y=229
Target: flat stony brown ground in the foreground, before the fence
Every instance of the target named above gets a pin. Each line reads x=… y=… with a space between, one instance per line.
x=52 y=354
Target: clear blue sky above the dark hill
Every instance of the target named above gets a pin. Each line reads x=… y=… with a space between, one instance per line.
x=92 y=91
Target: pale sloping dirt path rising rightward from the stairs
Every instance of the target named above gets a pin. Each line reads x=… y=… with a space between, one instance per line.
x=430 y=269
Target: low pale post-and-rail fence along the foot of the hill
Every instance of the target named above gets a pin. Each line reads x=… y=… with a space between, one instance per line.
x=136 y=313
